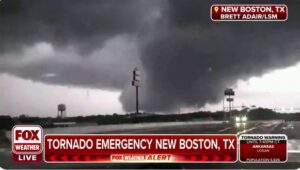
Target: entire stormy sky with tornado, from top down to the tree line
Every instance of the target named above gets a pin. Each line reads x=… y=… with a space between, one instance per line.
x=92 y=46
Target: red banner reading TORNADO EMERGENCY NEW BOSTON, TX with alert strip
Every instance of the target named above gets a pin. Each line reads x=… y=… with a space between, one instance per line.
x=93 y=148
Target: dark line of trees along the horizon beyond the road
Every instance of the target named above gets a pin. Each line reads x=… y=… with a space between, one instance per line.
x=7 y=122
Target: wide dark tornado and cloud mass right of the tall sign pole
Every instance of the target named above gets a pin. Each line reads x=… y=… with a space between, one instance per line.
x=191 y=60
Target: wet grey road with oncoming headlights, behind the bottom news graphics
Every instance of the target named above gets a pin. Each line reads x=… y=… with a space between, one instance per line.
x=255 y=127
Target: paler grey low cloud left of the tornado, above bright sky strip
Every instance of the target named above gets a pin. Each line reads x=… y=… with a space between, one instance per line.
x=105 y=68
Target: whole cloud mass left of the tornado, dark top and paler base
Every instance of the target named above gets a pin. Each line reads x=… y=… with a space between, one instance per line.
x=82 y=43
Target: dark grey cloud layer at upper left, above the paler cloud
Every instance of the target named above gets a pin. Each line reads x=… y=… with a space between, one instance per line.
x=86 y=23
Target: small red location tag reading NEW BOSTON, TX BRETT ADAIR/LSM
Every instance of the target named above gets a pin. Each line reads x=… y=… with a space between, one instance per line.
x=249 y=12
